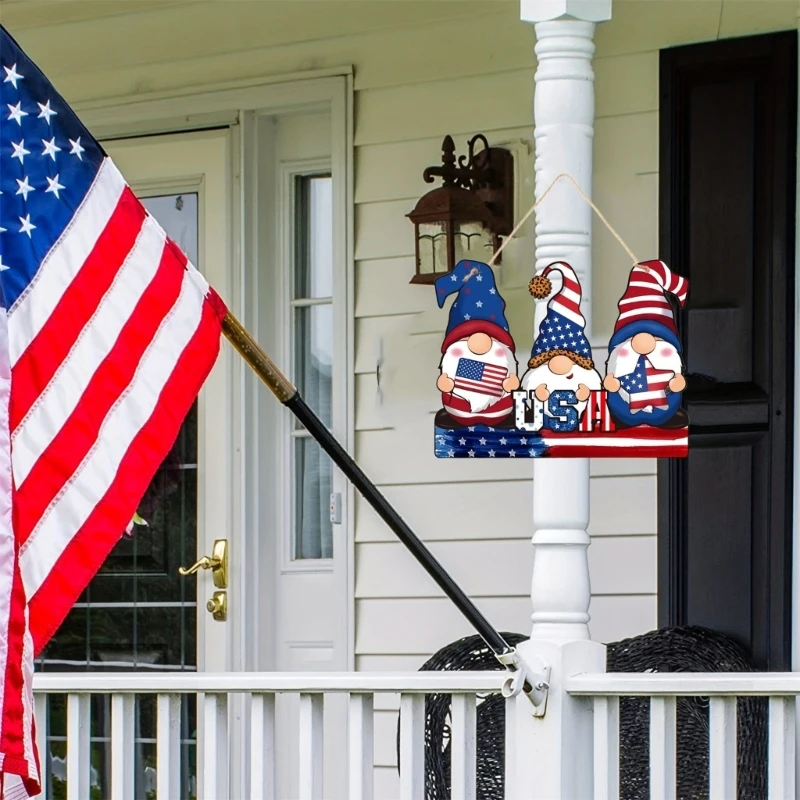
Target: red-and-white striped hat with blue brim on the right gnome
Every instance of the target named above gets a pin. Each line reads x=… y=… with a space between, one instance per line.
x=644 y=308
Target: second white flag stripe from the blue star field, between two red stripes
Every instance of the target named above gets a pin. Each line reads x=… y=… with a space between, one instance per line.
x=95 y=342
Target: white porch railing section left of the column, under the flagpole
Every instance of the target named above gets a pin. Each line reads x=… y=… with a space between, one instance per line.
x=216 y=695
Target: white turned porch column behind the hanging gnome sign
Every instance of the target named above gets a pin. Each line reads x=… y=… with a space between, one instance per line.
x=554 y=759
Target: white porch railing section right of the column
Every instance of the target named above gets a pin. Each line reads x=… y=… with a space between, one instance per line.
x=723 y=691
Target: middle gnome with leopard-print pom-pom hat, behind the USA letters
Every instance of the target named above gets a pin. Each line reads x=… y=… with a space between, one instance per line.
x=561 y=359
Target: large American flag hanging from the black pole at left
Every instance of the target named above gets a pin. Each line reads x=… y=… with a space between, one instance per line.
x=107 y=334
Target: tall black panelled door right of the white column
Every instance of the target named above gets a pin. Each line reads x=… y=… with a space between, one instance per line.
x=727 y=219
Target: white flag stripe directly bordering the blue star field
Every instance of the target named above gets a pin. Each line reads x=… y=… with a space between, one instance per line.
x=35 y=305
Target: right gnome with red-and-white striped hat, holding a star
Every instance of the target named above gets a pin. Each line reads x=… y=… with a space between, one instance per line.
x=643 y=371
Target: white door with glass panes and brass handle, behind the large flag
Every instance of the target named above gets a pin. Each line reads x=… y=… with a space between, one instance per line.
x=138 y=613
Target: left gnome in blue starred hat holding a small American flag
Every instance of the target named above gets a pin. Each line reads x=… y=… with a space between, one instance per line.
x=478 y=366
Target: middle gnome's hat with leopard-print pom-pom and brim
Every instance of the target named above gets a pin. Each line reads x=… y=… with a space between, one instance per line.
x=562 y=330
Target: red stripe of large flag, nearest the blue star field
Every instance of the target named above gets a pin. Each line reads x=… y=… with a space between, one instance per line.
x=37 y=365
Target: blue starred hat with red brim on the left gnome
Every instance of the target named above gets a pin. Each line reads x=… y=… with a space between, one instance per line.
x=479 y=308
